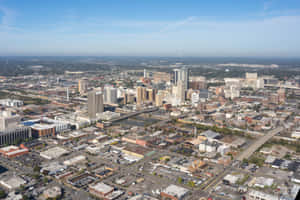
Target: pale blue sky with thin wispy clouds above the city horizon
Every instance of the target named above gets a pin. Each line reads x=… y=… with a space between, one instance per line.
x=200 y=28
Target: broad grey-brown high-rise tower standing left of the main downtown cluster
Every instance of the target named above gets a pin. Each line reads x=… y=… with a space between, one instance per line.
x=95 y=103
